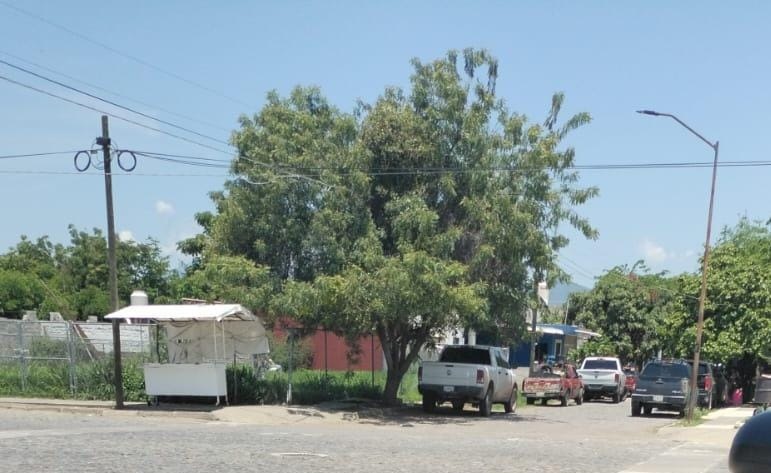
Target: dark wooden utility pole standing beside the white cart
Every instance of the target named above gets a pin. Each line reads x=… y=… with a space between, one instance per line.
x=104 y=141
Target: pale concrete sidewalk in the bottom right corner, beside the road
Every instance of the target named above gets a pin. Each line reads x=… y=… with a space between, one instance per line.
x=700 y=449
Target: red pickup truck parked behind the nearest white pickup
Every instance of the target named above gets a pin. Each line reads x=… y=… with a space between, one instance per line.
x=549 y=382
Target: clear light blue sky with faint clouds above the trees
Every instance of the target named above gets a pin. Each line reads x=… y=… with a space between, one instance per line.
x=704 y=61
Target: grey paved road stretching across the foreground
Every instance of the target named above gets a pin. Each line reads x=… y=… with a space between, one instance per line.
x=595 y=437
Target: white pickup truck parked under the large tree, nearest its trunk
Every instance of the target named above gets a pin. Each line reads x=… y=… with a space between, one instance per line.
x=477 y=374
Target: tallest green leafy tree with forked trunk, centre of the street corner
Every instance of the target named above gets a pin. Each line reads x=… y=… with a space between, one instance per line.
x=433 y=207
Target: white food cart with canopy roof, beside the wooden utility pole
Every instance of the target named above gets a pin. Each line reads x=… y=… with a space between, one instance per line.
x=201 y=340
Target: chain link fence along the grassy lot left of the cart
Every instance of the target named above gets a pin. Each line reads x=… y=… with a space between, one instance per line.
x=70 y=359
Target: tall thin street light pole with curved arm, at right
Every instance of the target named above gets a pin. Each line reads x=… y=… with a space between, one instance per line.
x=705 y=262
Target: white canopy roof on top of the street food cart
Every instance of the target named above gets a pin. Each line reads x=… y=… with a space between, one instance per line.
x=184 y=312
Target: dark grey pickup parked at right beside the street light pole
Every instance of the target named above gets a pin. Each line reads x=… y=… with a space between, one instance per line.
x=664 y=385
